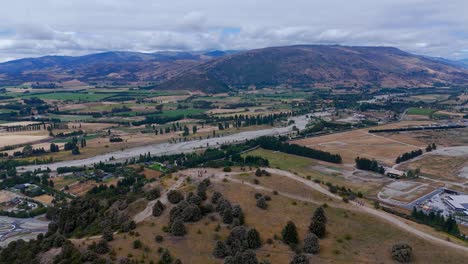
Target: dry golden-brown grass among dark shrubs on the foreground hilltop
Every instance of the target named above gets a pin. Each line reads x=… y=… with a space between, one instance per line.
x=352 y=237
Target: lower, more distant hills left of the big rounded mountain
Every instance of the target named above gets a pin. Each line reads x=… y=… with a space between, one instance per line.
x=99 y=67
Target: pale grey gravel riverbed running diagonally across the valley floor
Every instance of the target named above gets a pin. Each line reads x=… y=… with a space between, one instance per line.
x=168 y=148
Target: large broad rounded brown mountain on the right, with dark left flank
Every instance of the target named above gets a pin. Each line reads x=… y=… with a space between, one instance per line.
x=328 y=66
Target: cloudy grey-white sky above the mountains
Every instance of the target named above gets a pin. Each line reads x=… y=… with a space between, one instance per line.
x=32 y=28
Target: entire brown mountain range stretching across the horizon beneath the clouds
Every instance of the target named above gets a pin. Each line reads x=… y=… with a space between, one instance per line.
x=215 y=71
